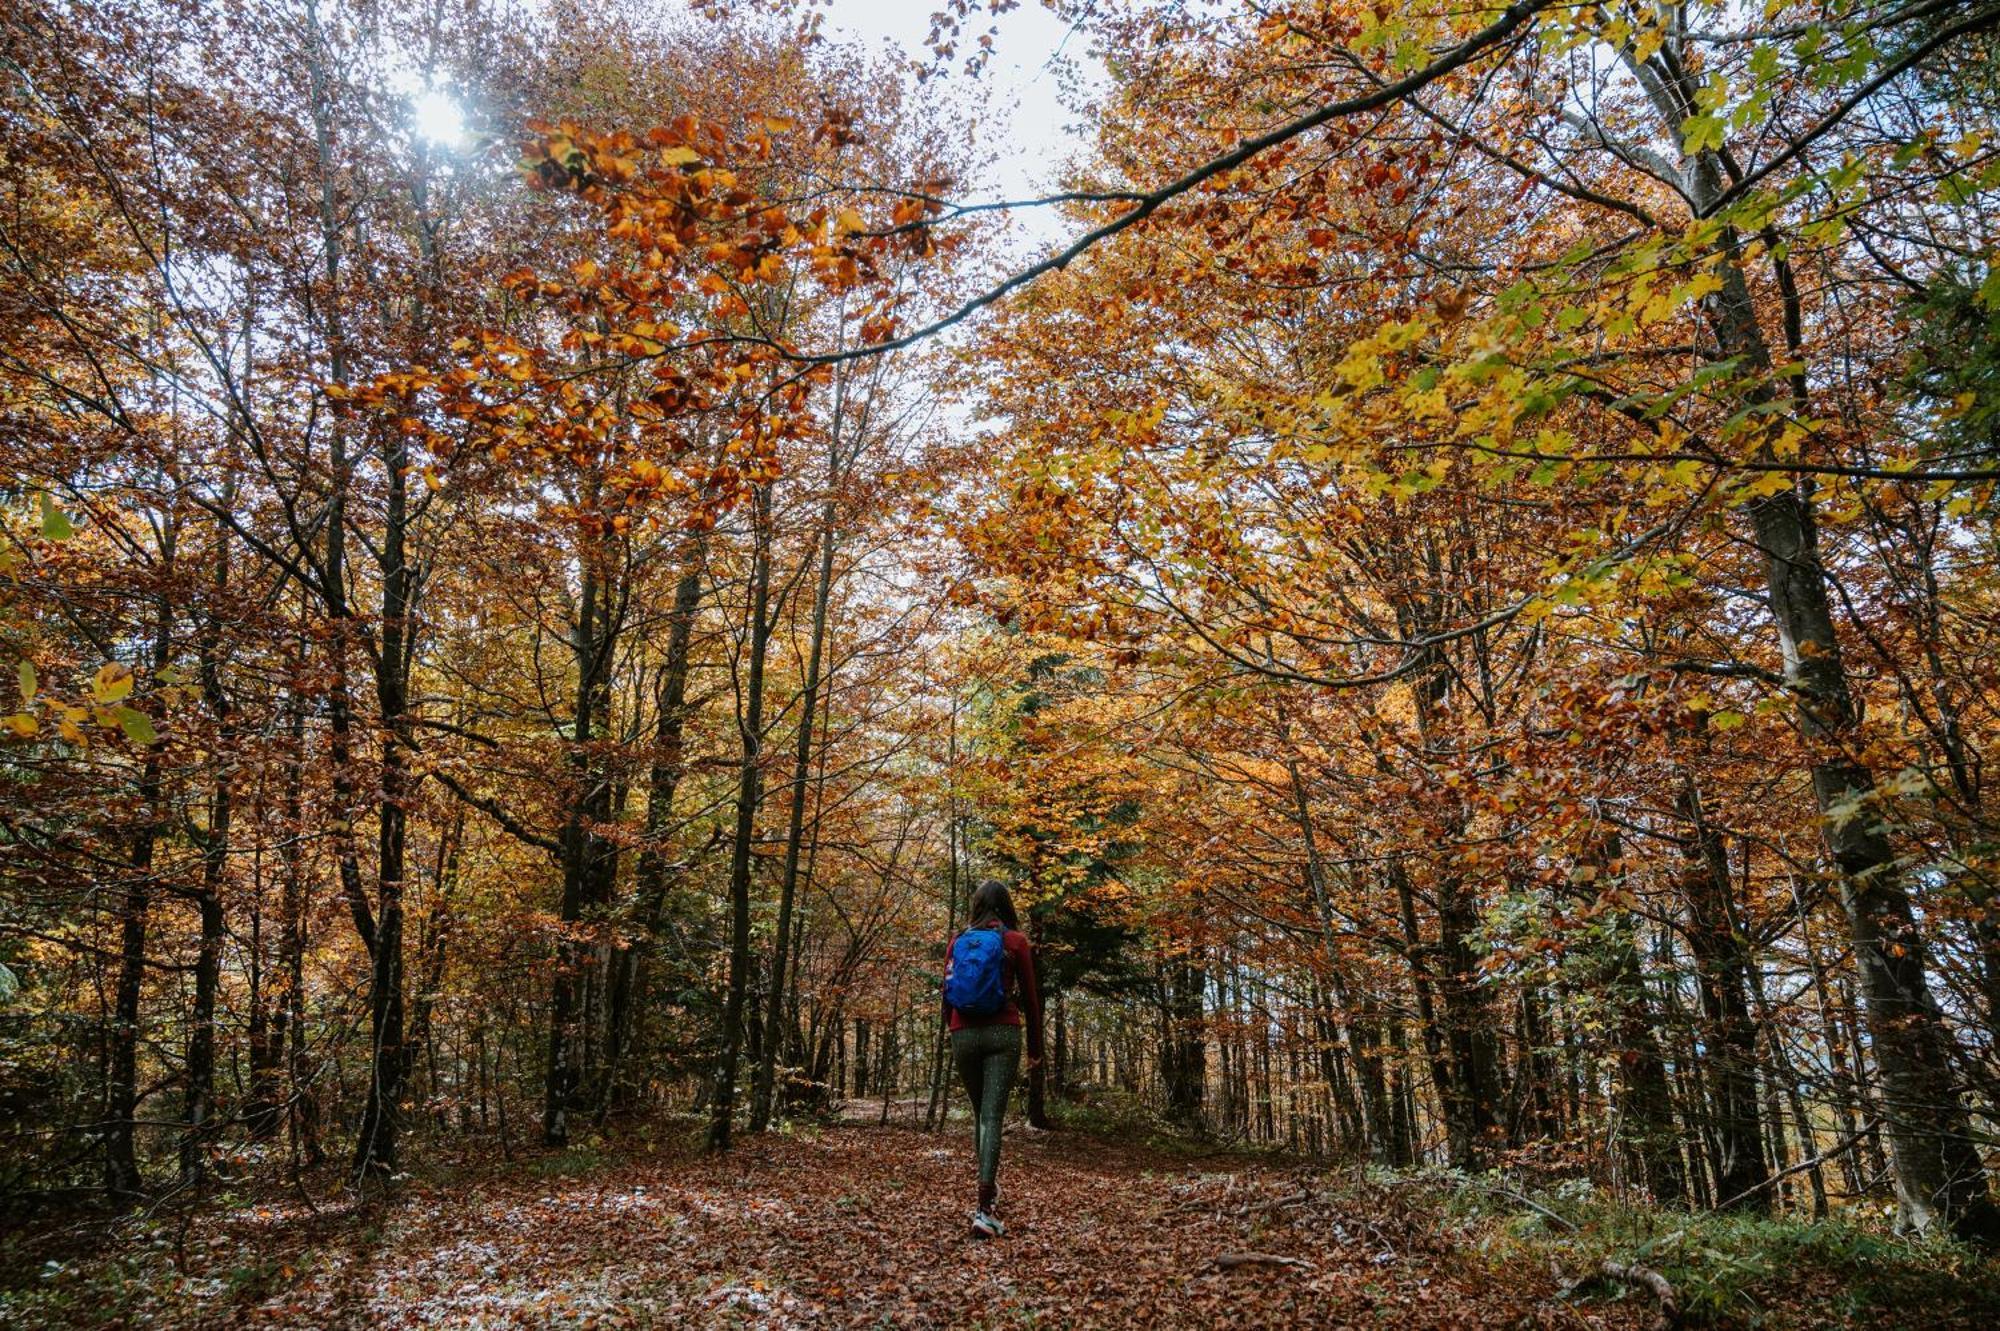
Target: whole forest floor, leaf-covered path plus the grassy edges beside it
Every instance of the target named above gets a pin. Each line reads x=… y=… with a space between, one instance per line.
x=865 y=1226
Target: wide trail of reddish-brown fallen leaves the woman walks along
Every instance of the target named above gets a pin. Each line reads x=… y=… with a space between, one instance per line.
x=857 y=1228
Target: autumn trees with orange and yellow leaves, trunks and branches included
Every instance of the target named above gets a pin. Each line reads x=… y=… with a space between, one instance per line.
x=1463 y=595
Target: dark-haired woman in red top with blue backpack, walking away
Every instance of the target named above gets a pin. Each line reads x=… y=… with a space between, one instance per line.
x=989 y=996
